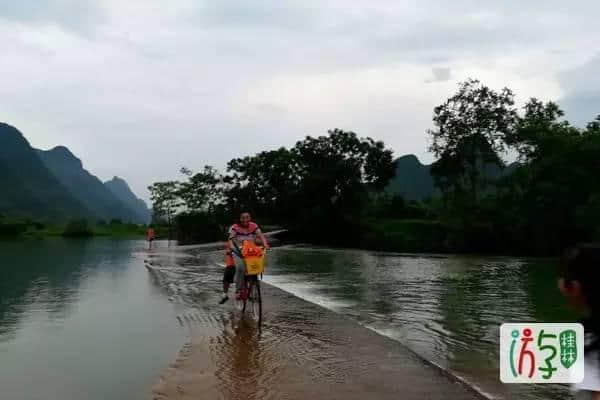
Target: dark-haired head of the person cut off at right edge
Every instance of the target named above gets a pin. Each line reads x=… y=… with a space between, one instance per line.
x=578 y=277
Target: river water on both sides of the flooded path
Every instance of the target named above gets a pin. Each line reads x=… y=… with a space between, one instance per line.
x=85 y=319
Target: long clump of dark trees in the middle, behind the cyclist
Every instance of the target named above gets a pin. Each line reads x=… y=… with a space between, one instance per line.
x=318 y=187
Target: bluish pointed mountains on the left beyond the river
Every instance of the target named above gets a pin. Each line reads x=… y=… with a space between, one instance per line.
x=53 y=185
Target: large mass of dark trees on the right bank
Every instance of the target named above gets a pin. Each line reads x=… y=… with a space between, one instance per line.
x=550 y=197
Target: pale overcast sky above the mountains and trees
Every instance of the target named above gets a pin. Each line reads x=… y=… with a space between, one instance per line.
x=140 y=88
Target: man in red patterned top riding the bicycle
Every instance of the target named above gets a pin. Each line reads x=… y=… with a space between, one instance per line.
x=238 y=233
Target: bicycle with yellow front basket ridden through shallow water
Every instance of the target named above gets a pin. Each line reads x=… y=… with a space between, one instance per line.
x=251 y=292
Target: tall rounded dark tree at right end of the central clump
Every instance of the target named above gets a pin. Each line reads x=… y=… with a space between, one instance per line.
x=337 y=174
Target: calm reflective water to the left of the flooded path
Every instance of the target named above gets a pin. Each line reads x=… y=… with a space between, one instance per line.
x=82 y=319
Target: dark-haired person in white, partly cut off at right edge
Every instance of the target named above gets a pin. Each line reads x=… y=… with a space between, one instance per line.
x=578 y=281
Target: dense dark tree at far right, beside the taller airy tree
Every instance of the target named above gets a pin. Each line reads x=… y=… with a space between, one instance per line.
x=551 y=199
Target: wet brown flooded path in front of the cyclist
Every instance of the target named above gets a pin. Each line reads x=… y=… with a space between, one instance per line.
x=300 y=351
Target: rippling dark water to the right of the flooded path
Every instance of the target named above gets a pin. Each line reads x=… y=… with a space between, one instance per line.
x=446 y=308
